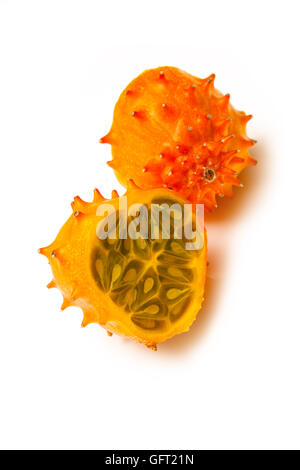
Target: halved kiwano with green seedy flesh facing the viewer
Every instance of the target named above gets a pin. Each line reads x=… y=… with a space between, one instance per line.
x=146 y=289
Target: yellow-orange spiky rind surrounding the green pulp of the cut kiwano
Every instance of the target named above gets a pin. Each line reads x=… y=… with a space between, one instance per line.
x=69 y=258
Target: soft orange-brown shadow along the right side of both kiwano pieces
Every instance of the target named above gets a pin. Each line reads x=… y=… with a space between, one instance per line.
x=229 y=209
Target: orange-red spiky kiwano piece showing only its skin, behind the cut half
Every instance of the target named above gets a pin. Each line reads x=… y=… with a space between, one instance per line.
x=171 y=129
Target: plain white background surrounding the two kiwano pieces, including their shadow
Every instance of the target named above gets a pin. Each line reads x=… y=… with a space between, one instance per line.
x=233 y=380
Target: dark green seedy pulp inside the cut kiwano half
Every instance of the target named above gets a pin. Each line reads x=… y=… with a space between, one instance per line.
x=148 y=278
